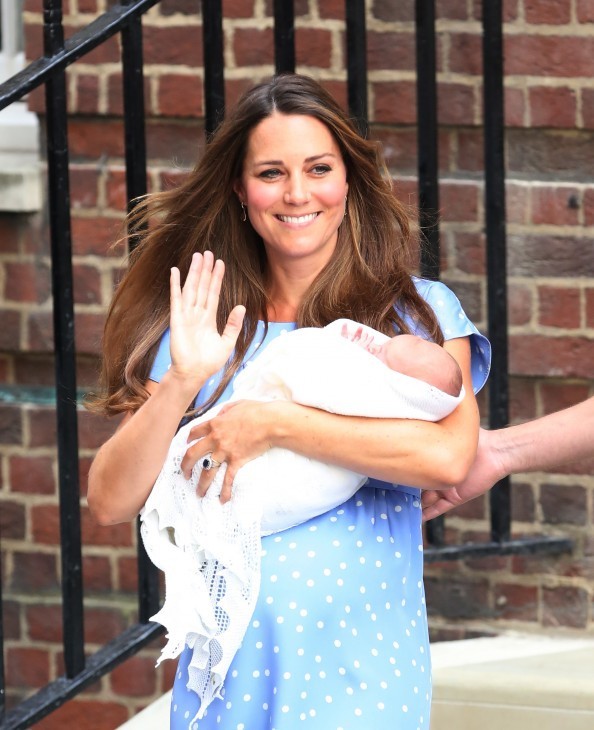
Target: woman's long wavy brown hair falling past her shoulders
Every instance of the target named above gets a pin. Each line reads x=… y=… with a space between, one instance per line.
x=368 y=273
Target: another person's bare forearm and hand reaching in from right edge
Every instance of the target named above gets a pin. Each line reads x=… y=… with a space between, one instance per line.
x=538 y=445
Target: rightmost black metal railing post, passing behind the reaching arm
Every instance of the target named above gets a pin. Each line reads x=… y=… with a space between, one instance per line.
x=496 y=245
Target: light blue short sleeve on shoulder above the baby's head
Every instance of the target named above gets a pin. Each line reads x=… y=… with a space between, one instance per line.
x=454 y=323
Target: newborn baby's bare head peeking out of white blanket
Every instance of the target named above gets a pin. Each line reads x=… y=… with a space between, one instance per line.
x=424 y=360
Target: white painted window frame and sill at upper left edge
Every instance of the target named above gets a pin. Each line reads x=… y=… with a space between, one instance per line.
x=20 y=174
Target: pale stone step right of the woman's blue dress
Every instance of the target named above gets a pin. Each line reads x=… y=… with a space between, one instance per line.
x=513 y=681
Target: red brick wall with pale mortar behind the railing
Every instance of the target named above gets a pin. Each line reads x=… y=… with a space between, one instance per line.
x=549 y=49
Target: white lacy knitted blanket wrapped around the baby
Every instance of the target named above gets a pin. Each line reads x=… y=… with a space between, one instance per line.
x=209 y=552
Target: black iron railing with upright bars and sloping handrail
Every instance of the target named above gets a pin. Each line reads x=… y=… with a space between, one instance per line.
x=125 y=18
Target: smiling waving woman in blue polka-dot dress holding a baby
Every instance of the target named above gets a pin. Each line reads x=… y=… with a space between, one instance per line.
x=293 y=200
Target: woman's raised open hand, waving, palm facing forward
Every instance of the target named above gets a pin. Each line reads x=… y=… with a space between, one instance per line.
x=197 y=349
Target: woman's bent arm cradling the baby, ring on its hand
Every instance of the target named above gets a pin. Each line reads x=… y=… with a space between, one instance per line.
x=417 y=453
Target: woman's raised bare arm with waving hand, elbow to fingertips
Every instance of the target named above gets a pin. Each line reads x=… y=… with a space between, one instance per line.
x=126 y=466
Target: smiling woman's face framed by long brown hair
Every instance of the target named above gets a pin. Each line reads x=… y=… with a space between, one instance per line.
x=294 y=187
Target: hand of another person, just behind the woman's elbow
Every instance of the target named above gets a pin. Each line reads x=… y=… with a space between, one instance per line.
x=486 y=471
